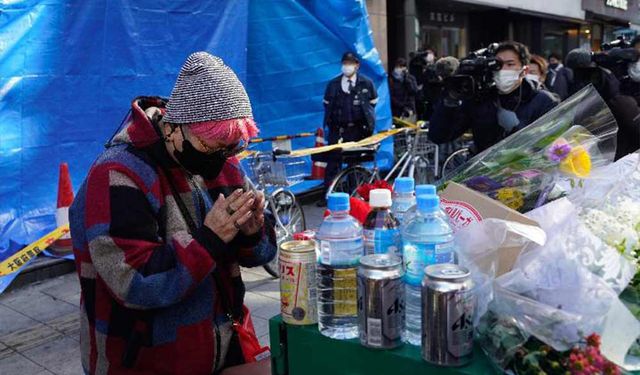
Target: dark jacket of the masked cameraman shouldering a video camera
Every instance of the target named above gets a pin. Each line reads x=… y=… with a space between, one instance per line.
x=449 y=123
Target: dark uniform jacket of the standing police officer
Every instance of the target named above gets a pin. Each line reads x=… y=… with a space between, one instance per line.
x=367 y=96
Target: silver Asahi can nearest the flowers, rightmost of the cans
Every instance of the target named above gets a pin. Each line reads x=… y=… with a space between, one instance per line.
x=448 y=306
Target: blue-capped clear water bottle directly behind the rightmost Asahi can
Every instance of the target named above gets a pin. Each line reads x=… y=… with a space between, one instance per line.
x=427 y=239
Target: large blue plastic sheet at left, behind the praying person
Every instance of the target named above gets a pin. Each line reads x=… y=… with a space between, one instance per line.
x=68 y=72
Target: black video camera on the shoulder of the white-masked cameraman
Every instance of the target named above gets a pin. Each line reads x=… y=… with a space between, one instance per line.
x=475 y=74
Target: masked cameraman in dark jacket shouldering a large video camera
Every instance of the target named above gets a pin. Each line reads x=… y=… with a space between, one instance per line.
x=513 y=104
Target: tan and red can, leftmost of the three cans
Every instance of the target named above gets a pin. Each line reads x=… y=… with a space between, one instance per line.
x=298 y=296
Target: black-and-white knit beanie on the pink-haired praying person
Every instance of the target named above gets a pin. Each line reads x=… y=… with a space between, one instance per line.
x=207 y=90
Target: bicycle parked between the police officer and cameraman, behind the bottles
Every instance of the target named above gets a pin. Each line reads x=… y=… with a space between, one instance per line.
x=417 y=156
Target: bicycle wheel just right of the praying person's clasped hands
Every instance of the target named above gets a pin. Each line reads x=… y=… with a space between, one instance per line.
x=292 y=218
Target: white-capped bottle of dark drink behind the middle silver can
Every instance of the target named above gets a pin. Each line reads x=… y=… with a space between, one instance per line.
x=381 y=229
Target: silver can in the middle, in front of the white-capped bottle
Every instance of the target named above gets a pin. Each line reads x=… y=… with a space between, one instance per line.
x=381 y=301
